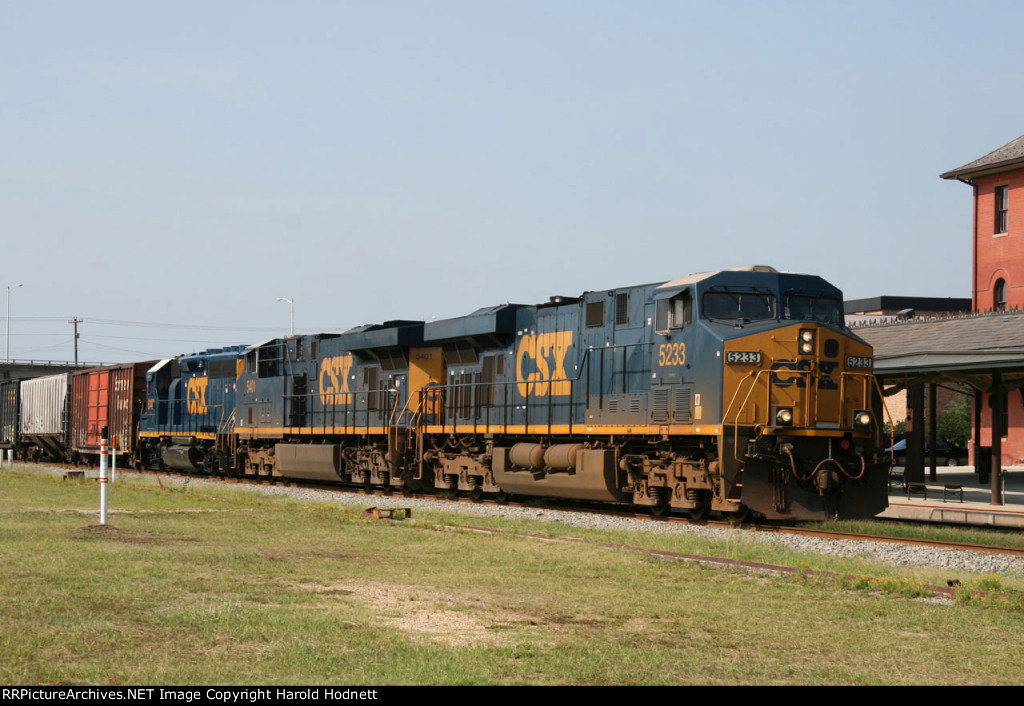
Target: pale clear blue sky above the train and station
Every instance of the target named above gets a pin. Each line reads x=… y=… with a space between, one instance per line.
x=188 y=163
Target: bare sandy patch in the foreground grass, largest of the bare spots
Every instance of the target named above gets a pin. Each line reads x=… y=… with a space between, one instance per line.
x=428 y=614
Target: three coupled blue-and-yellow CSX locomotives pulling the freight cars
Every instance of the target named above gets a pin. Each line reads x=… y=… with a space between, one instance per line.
x=731 y=392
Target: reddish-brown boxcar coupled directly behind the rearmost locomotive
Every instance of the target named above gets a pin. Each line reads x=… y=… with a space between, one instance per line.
x=111 y=397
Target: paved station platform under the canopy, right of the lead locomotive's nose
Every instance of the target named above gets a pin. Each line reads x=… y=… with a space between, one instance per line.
x=941 y=503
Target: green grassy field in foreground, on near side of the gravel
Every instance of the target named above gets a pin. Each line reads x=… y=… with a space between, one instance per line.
x=211 y=585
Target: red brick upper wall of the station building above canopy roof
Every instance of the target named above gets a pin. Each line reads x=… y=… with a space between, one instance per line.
x=999 y=256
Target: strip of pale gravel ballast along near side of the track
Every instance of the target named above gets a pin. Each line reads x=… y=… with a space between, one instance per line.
x=899 y=555
